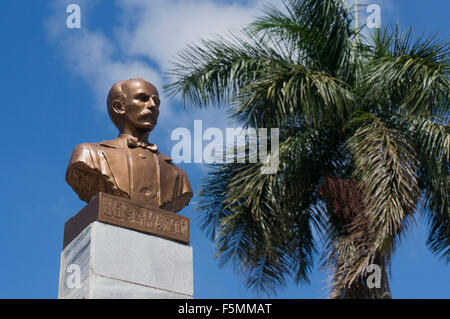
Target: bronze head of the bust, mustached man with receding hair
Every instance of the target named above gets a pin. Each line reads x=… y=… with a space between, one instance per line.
x=133 y=103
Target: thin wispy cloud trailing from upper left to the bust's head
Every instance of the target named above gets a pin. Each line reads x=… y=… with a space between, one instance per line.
x=89 y=55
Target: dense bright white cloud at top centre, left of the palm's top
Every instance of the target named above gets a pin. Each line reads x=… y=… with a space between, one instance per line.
x=159 y=28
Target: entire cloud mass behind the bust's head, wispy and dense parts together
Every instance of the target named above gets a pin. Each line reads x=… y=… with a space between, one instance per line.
x=149 y=34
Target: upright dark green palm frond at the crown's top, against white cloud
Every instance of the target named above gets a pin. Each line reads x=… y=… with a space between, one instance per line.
x=320 y=32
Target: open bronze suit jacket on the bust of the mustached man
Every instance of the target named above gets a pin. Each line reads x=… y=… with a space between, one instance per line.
x=102 y=167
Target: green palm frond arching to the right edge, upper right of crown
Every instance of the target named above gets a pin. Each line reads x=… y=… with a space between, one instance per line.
x=409 y=76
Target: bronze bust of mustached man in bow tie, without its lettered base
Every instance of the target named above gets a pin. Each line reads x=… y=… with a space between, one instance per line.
x=129 y=166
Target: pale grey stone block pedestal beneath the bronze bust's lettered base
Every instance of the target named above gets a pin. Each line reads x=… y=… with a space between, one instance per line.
x=107 y=261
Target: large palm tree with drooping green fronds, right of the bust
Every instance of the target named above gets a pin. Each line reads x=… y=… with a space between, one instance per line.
x=364 y=144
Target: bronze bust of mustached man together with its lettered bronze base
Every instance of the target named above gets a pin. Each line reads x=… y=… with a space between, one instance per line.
x=126 y=181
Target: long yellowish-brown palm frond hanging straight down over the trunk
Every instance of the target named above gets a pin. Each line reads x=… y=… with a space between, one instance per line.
x=387 y=167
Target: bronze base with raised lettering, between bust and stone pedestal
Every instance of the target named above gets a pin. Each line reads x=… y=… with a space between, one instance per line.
x=122 y=212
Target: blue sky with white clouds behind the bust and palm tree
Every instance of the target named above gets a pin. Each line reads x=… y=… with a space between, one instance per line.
x=55 y=82
